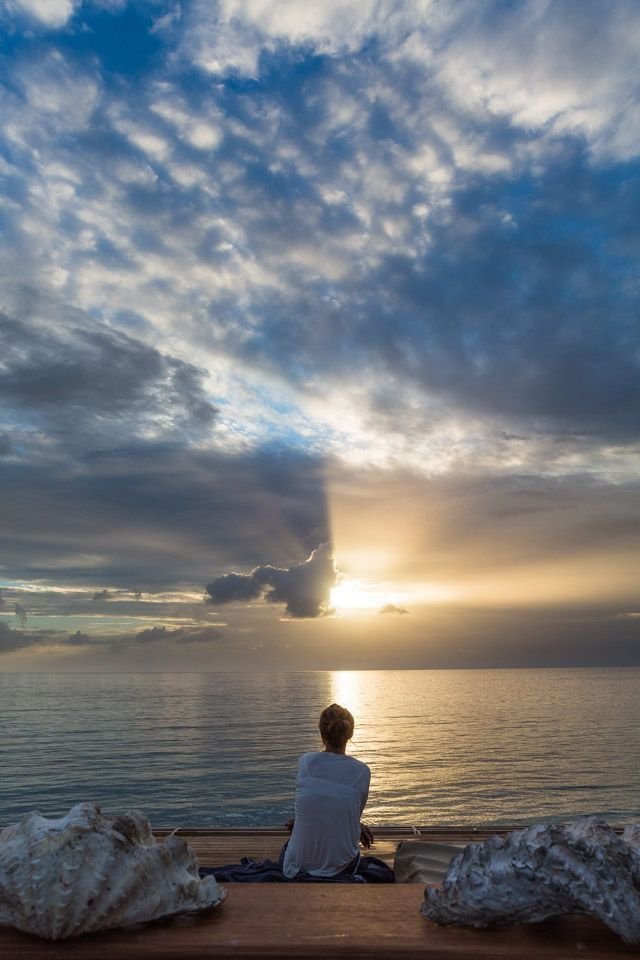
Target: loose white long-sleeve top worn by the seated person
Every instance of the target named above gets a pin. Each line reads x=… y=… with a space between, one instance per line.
x=331 y=792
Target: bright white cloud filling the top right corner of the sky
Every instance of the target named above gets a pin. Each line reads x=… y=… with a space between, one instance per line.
x=570 y=67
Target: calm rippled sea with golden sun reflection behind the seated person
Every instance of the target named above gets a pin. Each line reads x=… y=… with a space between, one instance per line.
x=446 y=746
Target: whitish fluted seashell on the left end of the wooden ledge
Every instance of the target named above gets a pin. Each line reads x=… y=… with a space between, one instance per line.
x=86 y=871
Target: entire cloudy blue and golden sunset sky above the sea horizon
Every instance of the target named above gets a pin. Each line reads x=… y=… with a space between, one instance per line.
x=319 y=338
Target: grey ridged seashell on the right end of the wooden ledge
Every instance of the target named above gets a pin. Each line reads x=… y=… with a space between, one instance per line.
x=544 y=871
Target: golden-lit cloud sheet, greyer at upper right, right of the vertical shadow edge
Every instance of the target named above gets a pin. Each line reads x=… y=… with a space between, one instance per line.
x=488 y=539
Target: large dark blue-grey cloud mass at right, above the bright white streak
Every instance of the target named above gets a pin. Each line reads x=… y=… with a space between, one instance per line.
x=503 y=323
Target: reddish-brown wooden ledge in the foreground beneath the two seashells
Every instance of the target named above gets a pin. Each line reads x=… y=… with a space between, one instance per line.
x=313 y=921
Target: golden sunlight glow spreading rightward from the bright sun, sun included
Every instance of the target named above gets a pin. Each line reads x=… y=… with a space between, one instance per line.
x=406 y=543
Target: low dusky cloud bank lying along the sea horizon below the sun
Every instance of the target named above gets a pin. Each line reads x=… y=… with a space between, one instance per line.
x=451 y=638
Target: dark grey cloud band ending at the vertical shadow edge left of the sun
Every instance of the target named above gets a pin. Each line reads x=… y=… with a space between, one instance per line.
x=154 y=517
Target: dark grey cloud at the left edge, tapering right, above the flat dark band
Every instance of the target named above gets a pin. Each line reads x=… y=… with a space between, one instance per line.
x=84 y=383
